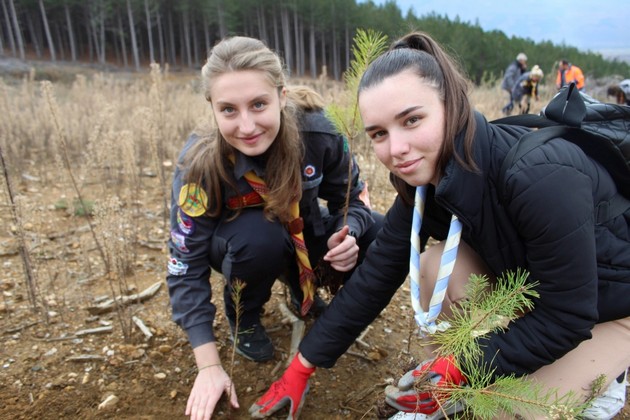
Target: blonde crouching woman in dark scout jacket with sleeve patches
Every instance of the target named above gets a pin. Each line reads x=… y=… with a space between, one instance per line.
x=246 y=203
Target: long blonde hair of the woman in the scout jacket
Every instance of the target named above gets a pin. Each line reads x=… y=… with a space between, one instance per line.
x=207 y=162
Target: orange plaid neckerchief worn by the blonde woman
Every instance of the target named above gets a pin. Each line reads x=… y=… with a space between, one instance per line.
x=307 y=276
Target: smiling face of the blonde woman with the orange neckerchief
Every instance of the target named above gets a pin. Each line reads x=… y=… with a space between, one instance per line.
x=247 y=110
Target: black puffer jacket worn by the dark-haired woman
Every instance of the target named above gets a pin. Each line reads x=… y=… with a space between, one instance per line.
x=546 y=227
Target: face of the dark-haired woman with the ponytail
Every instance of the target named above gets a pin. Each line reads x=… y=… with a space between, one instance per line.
x=404 y=117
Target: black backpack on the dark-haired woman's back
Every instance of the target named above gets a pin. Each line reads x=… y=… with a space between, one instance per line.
x=601 y=130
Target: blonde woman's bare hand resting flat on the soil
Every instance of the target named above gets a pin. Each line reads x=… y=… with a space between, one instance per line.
x=210 y=384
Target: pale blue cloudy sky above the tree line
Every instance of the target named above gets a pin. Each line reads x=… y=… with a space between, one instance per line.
x=596 y=25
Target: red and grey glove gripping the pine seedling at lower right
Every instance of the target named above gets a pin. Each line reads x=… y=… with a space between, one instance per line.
x=442 y=372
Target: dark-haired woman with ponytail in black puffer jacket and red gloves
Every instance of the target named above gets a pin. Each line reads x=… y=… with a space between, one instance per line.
x=541 y=218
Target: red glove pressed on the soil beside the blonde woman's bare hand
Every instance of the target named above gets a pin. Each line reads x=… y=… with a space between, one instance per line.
x=290 y=388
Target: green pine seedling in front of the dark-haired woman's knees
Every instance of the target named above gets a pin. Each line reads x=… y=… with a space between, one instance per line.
x=489 y=310
